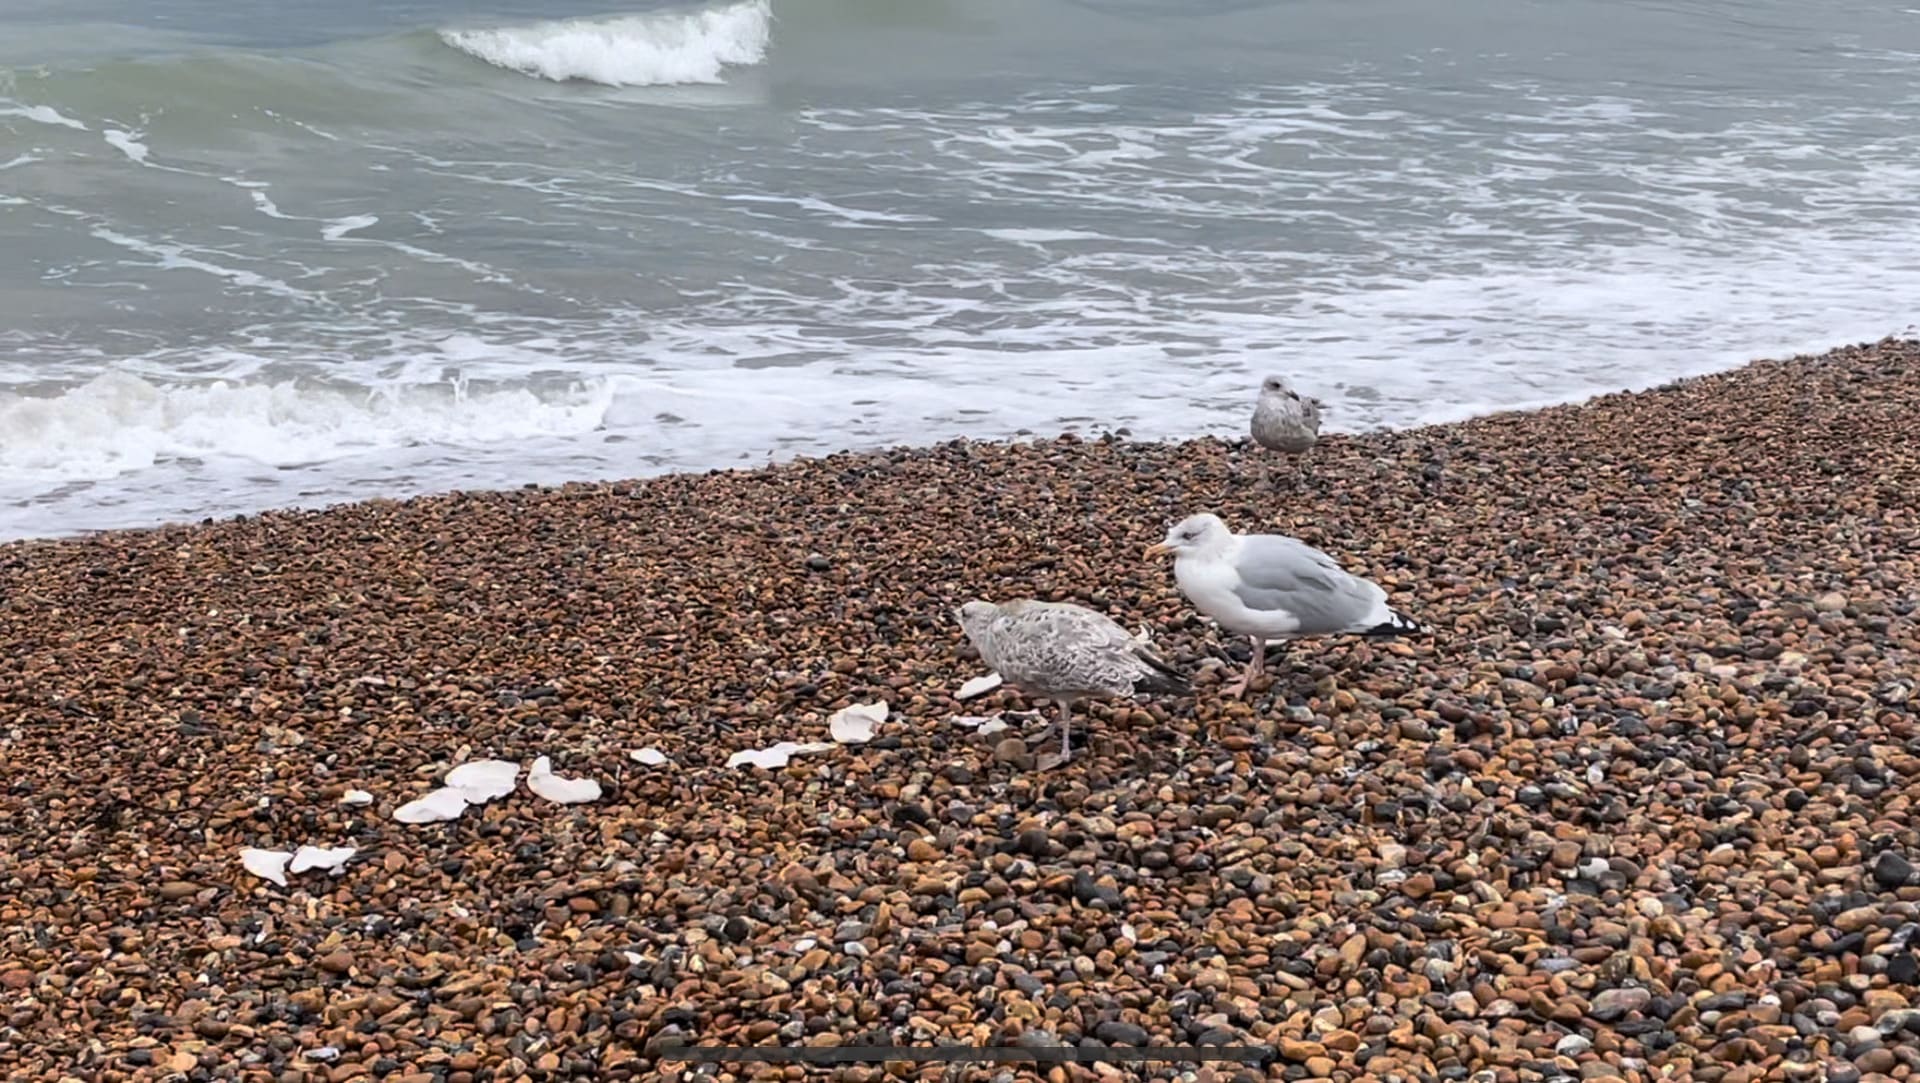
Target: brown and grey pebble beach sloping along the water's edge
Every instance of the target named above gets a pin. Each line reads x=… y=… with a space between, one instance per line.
x=1641 y=809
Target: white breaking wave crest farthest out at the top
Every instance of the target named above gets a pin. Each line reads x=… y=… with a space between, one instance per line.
x=633 y=51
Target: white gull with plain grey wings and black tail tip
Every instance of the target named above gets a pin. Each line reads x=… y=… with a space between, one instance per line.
x=1268 y=587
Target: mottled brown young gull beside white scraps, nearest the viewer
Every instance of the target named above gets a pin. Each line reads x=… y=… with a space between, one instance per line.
x=1063 y=652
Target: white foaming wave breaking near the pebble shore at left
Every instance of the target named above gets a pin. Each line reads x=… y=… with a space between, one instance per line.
x=120 y=423
